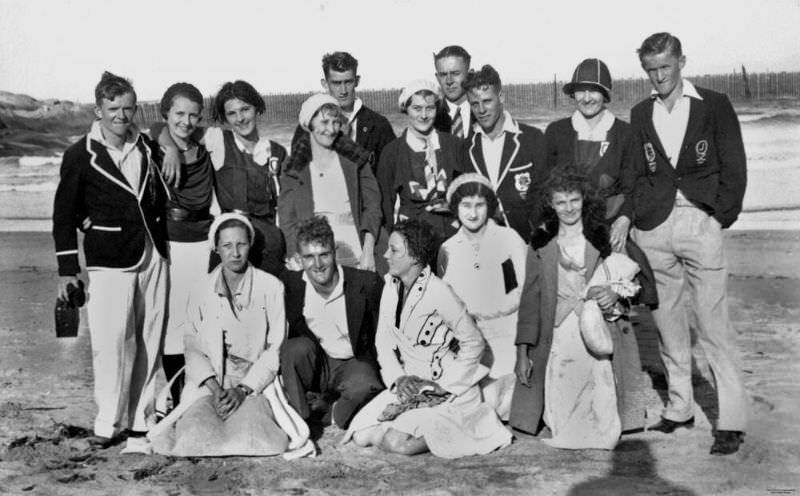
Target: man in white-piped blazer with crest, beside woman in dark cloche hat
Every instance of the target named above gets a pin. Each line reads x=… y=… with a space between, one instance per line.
x=511 y=154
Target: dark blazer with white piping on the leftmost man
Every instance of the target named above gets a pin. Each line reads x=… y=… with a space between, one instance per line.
x=122 y=216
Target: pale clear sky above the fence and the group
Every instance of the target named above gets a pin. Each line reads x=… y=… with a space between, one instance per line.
x=59 y=48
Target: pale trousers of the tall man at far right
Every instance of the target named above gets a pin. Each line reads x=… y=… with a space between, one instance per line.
x=688 y=259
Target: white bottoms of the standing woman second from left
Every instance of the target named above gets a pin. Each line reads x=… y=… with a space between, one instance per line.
x=188 y=262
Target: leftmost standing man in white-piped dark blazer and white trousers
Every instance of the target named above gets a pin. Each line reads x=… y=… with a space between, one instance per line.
x=111 y=188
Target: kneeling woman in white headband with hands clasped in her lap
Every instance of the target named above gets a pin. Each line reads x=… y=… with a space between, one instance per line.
x=235 y=327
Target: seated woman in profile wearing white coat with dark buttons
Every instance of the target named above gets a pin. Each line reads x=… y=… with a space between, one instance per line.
x=434 y=402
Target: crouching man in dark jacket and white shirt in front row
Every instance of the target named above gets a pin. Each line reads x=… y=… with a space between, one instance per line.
x=332 y=313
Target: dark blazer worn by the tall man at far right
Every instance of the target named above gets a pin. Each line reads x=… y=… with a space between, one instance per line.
x=711 y=170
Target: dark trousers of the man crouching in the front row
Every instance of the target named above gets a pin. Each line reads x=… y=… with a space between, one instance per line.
x=306 y=367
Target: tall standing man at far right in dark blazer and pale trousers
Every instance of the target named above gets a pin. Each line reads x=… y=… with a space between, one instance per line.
x=690 y=176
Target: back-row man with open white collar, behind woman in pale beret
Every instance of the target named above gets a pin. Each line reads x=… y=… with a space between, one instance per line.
x=366 y=127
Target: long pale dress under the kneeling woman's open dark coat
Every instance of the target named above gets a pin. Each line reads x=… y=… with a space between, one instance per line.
x=580 y=399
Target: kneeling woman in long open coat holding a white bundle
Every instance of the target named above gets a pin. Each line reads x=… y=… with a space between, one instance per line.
x=561 y=378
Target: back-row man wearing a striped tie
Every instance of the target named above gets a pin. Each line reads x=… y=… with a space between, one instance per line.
x=454 y=116
